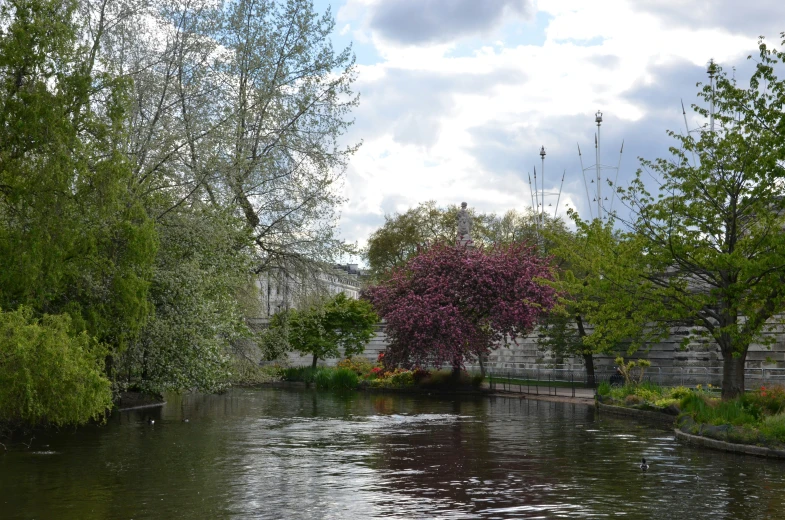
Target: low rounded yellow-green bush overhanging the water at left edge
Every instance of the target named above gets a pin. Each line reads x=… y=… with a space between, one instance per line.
x=48 y=373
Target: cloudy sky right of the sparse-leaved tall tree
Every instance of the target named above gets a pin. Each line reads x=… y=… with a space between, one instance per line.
x=458 y=96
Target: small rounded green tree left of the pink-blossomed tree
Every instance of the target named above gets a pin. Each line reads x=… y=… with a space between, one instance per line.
x=329 y=328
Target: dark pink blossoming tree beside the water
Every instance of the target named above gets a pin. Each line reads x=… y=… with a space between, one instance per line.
x=449 y=304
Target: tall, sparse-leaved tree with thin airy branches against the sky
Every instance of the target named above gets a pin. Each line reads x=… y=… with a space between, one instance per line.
x=241 y=105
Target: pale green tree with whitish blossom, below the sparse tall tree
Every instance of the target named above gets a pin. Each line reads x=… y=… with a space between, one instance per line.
x=198 y=292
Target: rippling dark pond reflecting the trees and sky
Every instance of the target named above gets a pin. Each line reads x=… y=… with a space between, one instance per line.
x=280 y=453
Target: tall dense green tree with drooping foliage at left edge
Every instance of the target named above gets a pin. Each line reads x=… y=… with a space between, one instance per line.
x=74 y=237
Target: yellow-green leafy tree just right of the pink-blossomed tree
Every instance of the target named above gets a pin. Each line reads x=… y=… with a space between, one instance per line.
x=606 y=306
